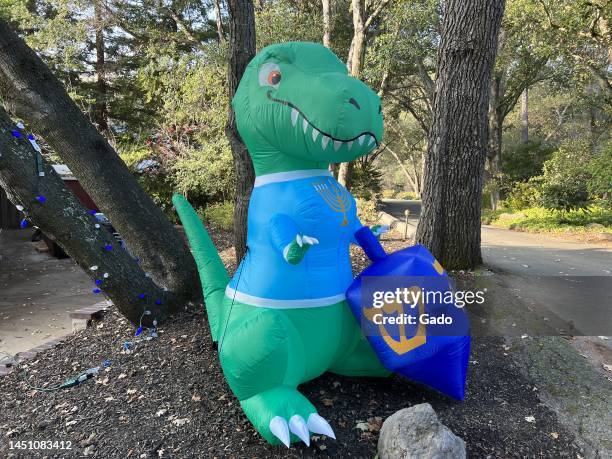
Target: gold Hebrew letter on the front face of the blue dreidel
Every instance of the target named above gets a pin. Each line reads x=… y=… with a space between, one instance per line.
x=404 y=344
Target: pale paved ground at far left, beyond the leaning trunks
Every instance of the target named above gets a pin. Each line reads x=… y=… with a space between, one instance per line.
x=37 y=292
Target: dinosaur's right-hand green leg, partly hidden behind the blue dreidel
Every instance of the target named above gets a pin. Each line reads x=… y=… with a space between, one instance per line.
x=359 y=358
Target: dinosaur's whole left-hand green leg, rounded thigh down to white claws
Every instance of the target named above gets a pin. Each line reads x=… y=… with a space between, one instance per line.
x=262 y=355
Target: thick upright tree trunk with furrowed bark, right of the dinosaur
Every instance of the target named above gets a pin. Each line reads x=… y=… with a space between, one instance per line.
x=450 y=219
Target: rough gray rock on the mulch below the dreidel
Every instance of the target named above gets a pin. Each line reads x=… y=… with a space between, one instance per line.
x=415 y=432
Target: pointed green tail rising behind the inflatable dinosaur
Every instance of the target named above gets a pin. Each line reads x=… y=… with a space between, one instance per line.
x=213 y=274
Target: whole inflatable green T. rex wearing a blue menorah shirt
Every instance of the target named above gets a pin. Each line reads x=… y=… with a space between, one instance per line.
x=283 y=319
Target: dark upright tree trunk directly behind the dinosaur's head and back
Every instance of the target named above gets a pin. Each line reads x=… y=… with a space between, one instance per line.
x=241 y=51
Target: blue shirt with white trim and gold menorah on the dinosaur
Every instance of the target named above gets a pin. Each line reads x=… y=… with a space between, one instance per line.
x=283 y=205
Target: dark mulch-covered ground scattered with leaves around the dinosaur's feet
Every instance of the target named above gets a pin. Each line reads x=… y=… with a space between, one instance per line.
x=169 y=399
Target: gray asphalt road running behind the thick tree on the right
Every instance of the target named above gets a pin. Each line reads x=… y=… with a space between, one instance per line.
x=571 y=280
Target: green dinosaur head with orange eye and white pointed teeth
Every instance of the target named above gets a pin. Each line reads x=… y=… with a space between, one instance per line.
x=297 y=108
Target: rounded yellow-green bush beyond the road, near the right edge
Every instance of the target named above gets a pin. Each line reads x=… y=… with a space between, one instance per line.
x=564 y=183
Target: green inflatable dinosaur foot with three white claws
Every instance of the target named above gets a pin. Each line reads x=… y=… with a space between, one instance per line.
x=283 y=415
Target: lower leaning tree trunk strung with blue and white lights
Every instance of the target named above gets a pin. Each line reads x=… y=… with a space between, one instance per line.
x=62 y=216
